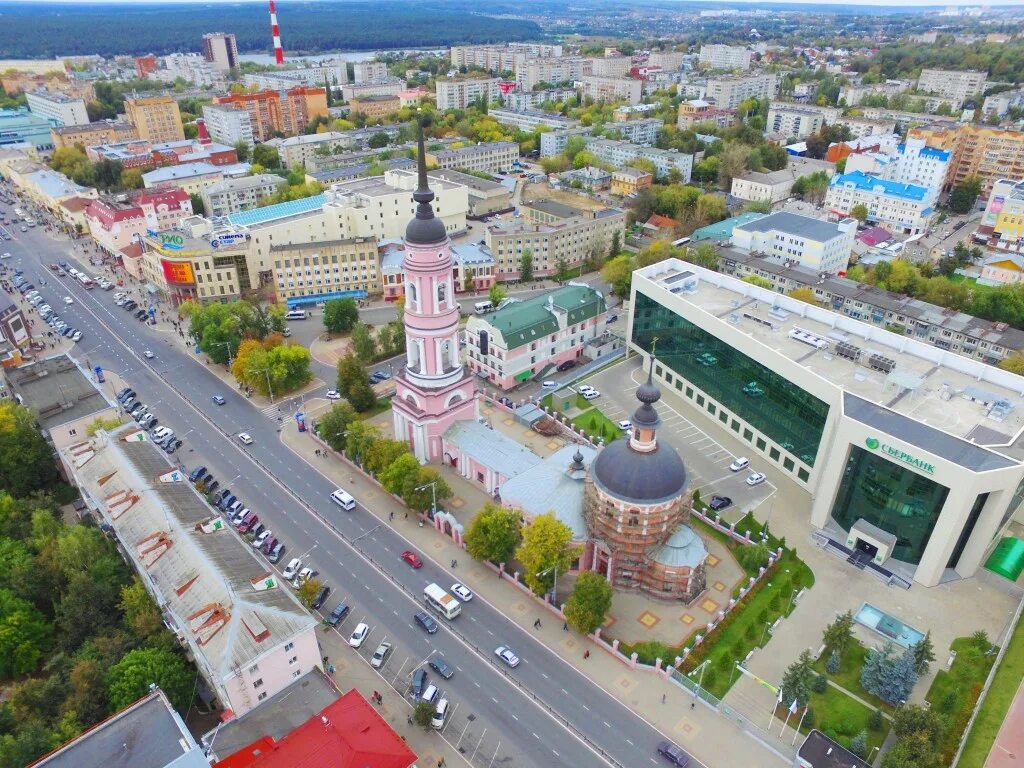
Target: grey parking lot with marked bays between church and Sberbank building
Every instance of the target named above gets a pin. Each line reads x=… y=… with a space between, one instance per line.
x=697 y=441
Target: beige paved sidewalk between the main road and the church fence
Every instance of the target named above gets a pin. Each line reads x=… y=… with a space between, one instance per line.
x=701 y=732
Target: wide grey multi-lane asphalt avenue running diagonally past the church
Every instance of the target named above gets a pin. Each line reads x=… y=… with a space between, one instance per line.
x=359 y=557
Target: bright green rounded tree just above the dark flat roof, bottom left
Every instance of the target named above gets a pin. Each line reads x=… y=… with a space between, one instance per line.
x=132 y=677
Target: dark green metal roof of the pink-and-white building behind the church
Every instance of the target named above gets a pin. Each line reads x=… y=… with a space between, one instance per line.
x=530 y=320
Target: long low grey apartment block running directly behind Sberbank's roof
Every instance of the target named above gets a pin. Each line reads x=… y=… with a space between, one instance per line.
x=934 y=325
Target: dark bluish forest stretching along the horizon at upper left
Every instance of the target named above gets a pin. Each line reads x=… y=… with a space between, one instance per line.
x=50 y=30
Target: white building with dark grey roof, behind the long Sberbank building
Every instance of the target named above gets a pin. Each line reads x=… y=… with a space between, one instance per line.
x=790 y=238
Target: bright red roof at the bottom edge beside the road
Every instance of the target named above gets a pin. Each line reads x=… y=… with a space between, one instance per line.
x=349 y=734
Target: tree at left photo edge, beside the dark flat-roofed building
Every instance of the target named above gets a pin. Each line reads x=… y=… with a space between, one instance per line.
x=26 y=460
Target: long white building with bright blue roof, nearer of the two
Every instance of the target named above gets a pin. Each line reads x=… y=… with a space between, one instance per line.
x=905 y=208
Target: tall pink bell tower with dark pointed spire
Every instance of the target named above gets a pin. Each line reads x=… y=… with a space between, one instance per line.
x=434 y=391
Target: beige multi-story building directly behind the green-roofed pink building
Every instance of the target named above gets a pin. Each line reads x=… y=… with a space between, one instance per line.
x=554 y=233
